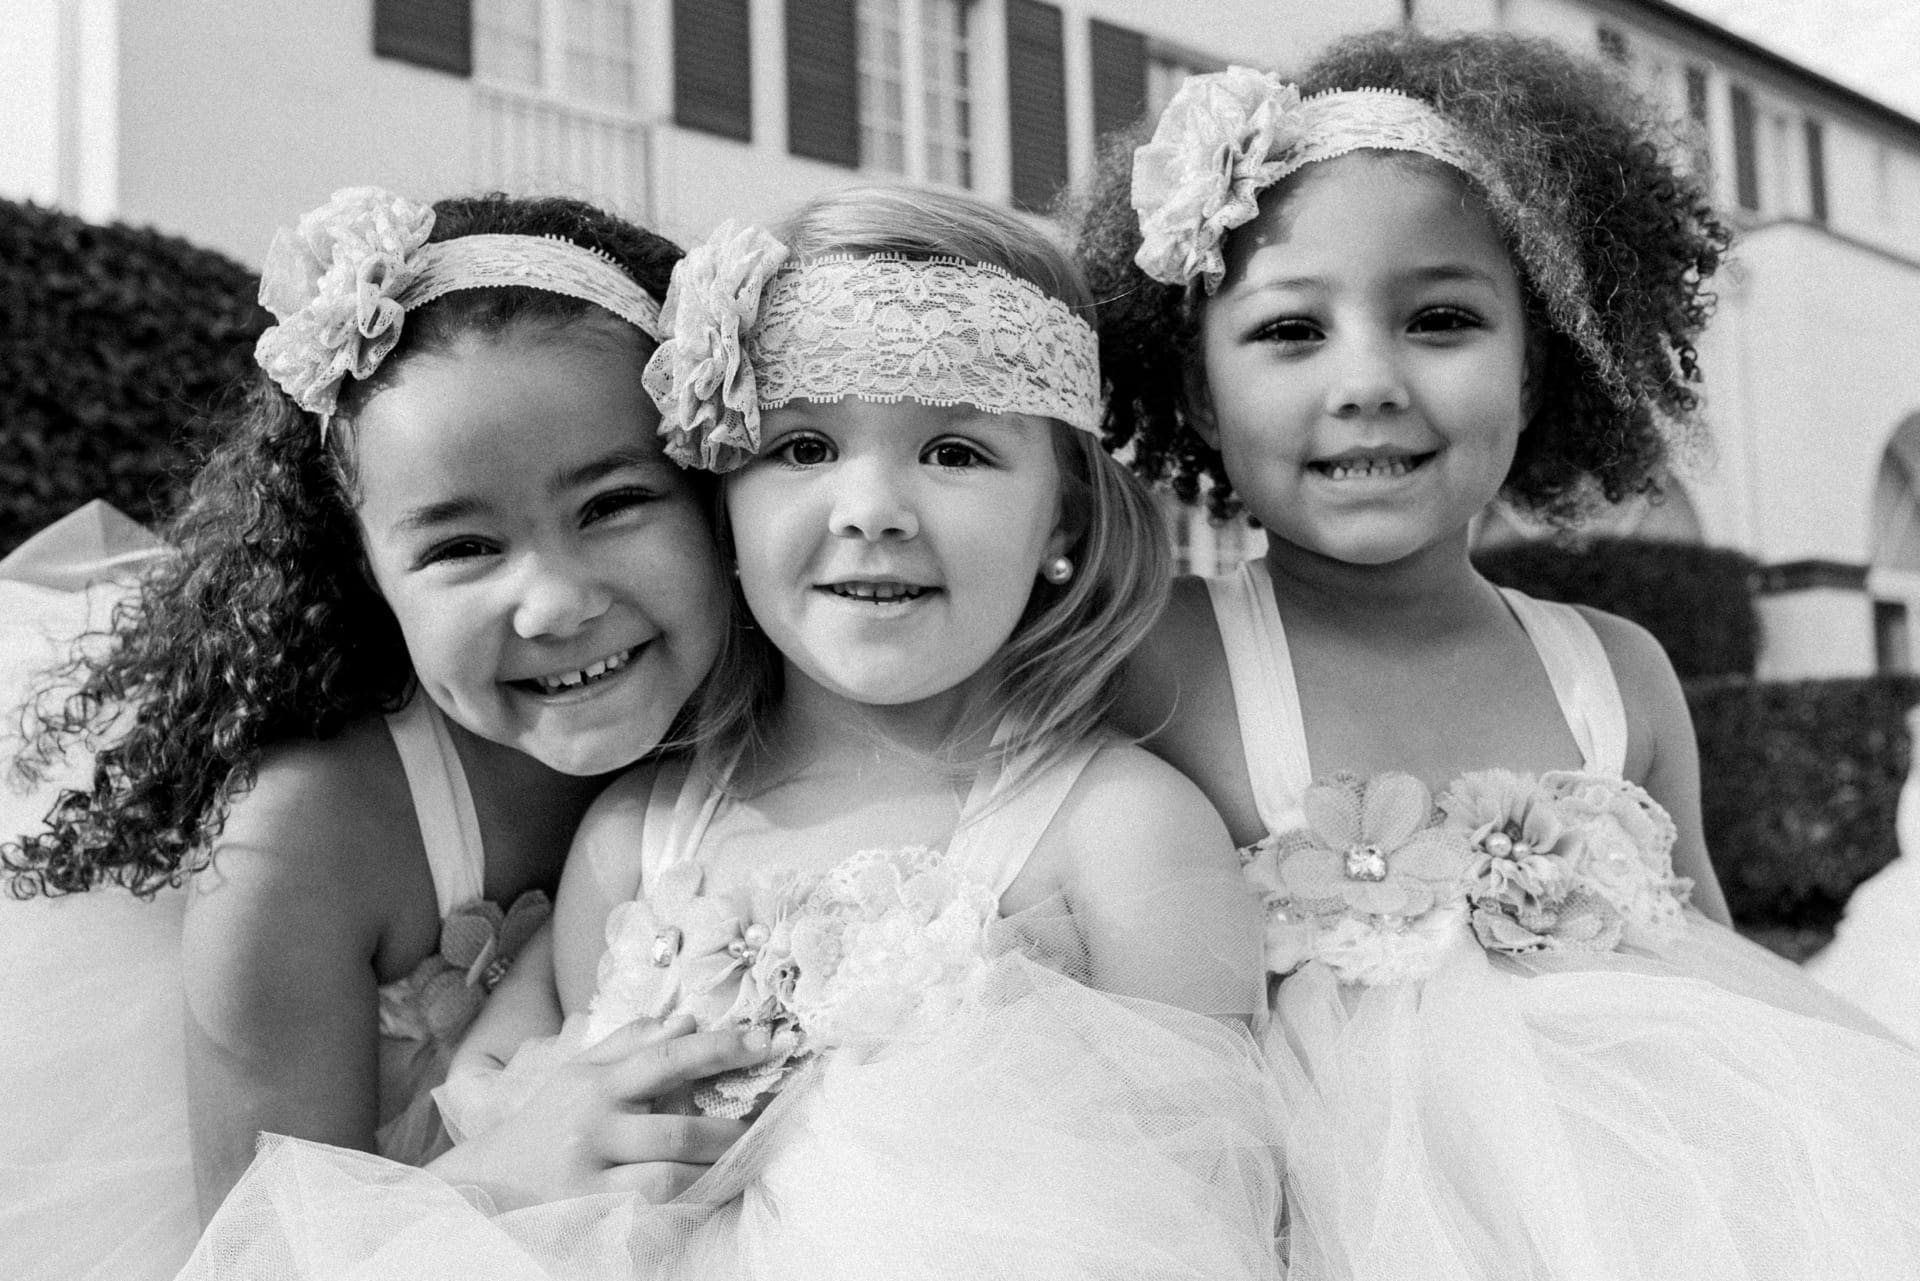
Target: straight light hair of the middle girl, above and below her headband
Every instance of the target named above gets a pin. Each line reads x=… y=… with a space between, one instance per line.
x=1059 y=675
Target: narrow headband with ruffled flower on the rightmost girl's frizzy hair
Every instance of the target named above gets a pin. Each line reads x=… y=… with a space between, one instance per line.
x=1230 y=135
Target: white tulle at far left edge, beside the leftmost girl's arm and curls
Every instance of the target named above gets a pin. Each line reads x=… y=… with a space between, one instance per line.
x=95 y=1169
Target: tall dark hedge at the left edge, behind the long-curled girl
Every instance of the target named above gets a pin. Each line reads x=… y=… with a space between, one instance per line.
x=112 y=341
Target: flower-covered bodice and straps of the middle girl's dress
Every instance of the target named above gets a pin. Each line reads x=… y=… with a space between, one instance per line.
x=867 y=952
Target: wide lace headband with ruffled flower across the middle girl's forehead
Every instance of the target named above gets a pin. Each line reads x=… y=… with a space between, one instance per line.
x=750 y=331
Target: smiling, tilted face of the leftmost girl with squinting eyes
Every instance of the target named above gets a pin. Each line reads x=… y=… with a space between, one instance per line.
x=552 y=571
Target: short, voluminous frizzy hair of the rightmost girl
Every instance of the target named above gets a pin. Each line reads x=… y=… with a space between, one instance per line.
x=1591 y=170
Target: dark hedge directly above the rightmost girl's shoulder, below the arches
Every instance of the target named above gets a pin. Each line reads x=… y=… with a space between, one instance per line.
x=1696 y=600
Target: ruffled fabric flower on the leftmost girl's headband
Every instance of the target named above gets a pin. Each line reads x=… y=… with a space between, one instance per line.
x=335 y=287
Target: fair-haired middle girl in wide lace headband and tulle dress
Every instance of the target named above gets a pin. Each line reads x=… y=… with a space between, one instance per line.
x=940 y=575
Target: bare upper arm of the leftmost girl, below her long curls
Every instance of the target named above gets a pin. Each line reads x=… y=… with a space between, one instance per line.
x=279 y=954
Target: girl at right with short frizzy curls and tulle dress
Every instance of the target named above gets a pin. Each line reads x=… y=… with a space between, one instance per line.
x=1441 y=272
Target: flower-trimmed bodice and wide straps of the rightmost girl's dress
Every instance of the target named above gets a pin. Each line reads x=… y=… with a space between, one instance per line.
x=1380 y=879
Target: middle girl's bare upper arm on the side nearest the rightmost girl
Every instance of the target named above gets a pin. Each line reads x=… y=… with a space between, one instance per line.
x=1155 y=888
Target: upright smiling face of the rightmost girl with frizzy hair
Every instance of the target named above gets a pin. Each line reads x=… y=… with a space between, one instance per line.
x=1368 y=360
